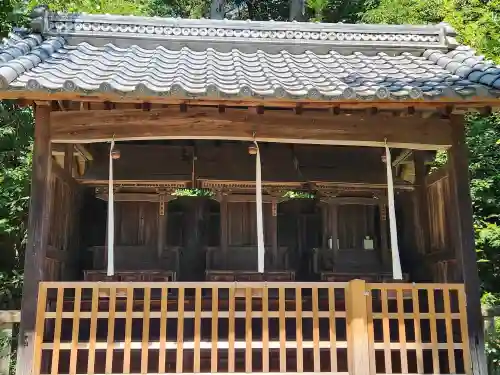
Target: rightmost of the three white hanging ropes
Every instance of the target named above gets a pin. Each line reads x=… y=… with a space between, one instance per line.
x=397 y=273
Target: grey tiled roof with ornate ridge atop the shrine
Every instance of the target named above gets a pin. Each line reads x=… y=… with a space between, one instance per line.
x=207 y=58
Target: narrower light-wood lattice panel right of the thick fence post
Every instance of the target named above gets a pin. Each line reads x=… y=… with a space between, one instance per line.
x=418 y=329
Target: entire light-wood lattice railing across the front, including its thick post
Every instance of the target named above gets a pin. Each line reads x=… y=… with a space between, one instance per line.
x=253 y=327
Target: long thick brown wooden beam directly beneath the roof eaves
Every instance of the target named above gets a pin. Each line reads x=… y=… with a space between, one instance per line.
x=273 y=126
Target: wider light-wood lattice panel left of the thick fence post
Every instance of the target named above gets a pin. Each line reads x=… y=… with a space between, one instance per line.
x=151 y=328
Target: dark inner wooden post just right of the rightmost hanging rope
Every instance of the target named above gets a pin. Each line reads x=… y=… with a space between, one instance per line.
x=423 y=232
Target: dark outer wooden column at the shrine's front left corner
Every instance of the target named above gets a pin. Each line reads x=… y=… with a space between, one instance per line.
x=38 y=235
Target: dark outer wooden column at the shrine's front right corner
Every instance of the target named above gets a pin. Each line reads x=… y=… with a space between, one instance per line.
x=465 y=247
